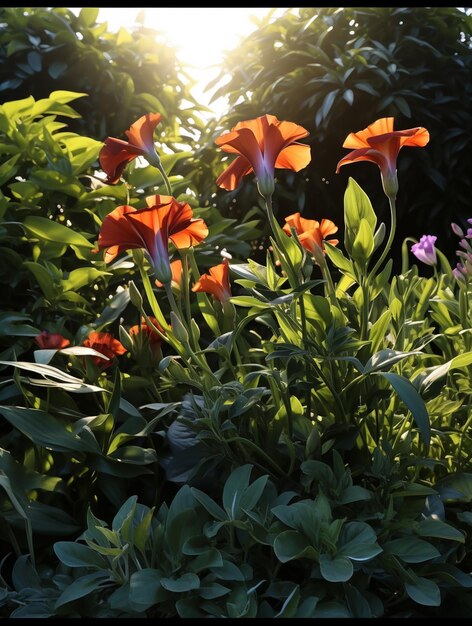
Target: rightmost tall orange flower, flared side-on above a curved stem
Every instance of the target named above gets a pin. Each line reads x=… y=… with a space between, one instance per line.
x=380 y=144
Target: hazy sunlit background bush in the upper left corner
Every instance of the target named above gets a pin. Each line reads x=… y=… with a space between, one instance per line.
x=124 y=74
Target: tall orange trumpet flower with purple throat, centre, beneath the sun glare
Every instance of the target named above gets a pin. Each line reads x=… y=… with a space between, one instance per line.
x=262 y=145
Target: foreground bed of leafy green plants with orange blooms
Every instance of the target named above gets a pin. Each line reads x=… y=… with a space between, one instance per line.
x=188 y=432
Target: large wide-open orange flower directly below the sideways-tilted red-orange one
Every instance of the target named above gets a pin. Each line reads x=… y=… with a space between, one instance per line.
x=126 y=228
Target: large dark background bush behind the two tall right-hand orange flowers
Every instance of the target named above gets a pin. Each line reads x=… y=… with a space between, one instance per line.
x=335 y=71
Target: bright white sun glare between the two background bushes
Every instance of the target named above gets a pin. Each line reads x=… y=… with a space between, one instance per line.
x=200 y=35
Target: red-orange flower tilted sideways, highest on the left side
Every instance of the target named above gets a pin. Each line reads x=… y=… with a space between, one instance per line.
x=116 y=153
